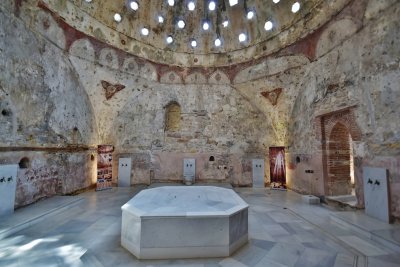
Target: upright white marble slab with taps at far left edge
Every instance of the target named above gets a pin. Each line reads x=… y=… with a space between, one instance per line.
x=8 y=184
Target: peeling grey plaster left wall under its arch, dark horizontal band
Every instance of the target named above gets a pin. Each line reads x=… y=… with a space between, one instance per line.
x=45 y=115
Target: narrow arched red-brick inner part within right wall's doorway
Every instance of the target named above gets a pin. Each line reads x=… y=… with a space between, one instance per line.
x=339 y=161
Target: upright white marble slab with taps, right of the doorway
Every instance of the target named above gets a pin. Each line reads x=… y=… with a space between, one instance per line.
x=376 y=193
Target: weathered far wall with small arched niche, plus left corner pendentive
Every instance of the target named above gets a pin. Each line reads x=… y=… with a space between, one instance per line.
x=215 y=120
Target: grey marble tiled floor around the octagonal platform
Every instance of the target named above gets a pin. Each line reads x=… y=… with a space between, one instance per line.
x=283 y=231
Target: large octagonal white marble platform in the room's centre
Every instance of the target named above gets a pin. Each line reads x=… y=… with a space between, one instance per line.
x=184 y=222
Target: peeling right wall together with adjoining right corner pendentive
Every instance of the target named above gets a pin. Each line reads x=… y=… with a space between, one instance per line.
x=356 y=65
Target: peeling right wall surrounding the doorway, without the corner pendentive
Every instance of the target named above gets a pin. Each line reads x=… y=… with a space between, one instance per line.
x=363 y=71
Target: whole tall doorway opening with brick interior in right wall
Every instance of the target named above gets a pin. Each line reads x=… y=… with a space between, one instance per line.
x=342 y=175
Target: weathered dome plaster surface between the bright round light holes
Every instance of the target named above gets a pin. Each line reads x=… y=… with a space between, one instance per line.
x=96 y=20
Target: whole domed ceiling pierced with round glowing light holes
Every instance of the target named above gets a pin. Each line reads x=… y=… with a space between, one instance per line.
x=175 y=32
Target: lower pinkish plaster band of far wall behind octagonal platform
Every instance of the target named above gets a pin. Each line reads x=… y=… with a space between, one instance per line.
x=161 y=166
